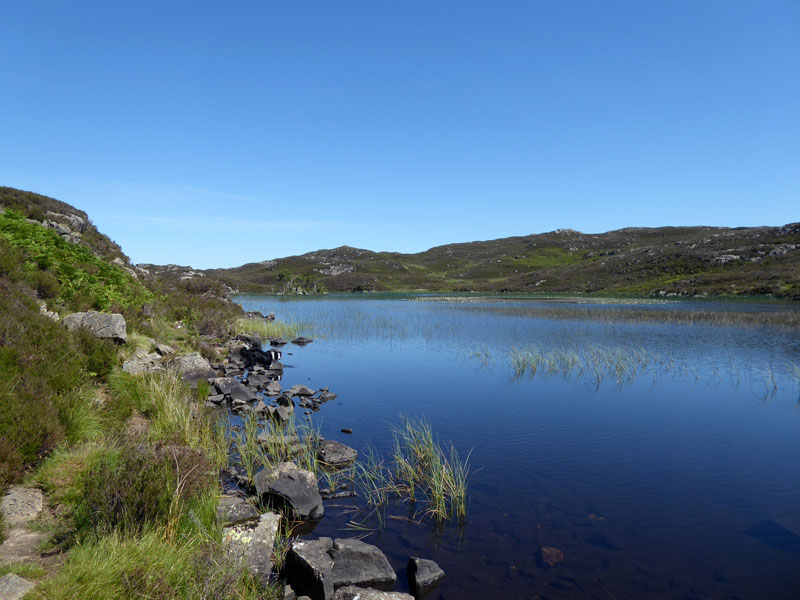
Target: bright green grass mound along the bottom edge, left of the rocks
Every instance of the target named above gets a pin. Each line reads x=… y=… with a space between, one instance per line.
x=150 y=566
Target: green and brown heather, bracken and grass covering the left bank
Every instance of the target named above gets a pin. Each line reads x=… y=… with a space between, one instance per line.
x=129 y=464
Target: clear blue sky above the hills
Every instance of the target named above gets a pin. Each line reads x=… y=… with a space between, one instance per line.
x=215 y=134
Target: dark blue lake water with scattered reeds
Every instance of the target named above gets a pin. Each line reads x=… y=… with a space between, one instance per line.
x=677 y=480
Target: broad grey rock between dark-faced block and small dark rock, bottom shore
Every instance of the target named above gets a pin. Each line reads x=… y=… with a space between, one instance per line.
x=358 y=563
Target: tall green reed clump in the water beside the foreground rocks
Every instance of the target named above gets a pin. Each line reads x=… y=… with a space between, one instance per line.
x=421 y=471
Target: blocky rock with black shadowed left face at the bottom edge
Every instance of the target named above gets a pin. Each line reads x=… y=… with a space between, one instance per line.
x=309 y=568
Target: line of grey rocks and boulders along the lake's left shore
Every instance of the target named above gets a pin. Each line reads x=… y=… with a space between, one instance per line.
x=247 y=382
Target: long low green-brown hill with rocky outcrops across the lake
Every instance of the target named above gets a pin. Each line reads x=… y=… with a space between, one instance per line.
x=635 y=260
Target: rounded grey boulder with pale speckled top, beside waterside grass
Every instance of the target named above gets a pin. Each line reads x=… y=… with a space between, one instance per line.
x=296 y=486
